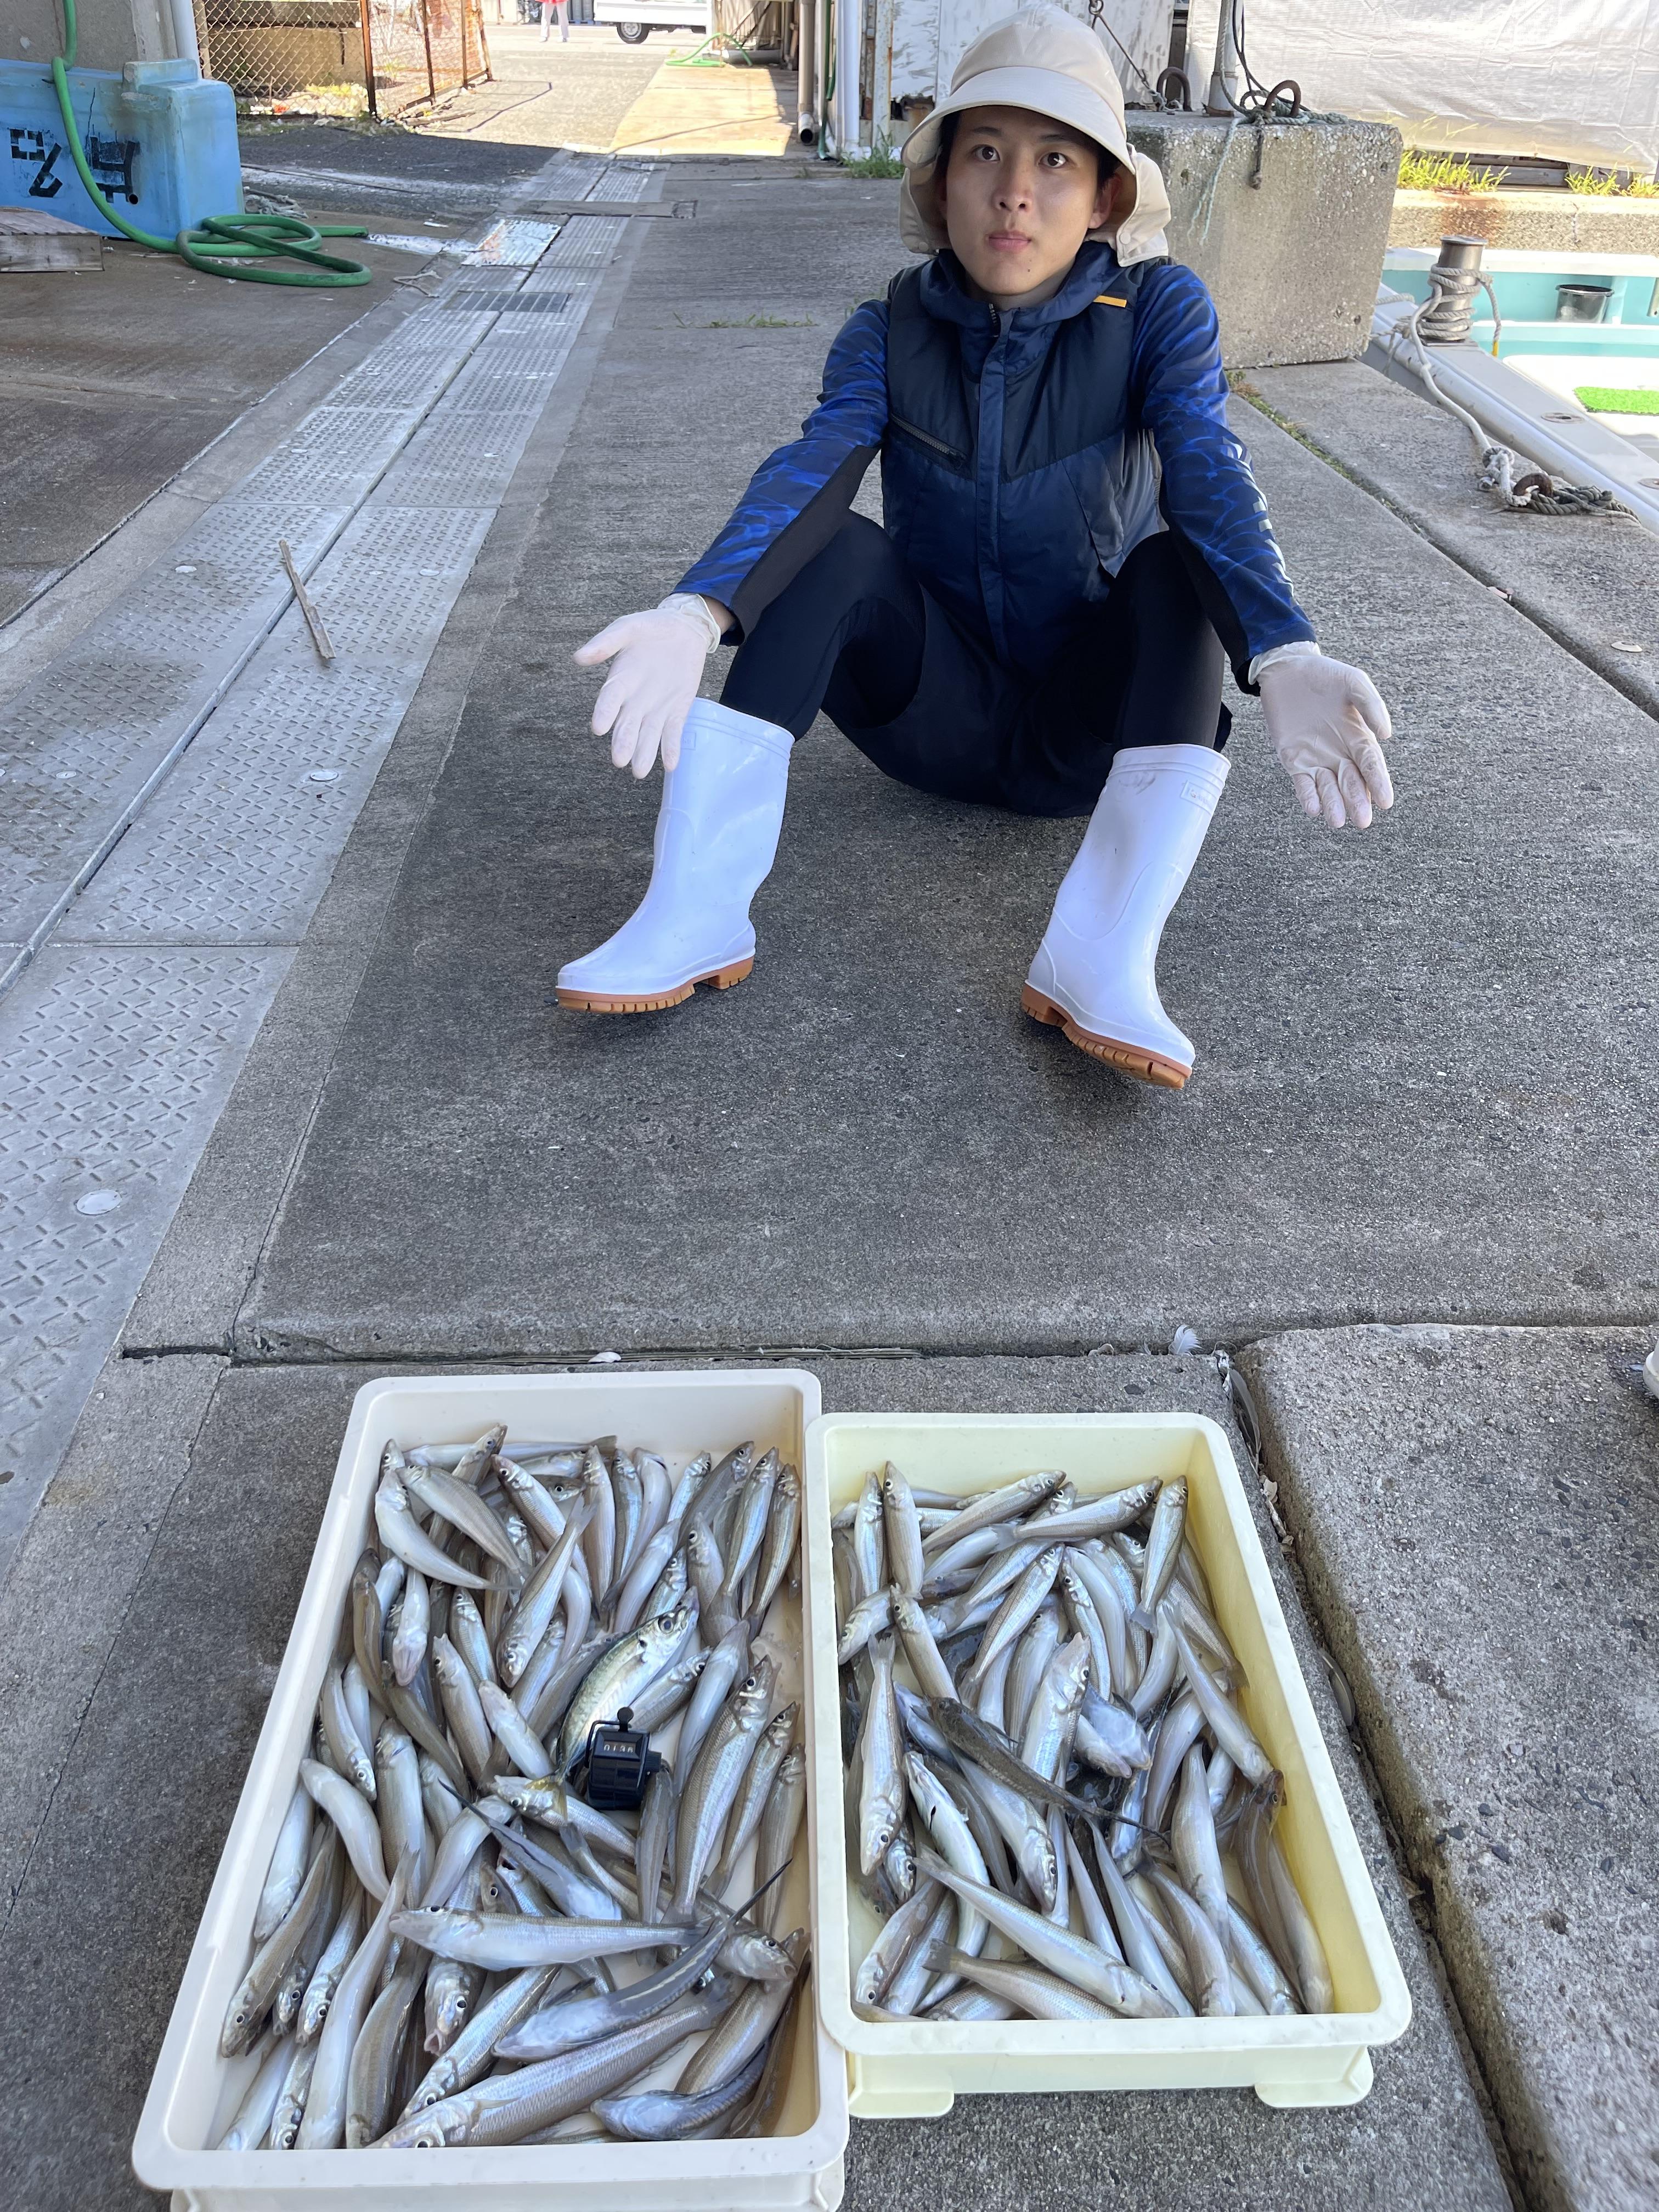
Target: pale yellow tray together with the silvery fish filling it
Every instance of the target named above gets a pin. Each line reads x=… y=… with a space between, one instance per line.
x=1074 y=1824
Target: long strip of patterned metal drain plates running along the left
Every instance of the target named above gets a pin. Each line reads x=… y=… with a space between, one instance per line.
x=123 y=1039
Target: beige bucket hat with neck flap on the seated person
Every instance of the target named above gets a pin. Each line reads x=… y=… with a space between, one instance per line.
x=1045 y=61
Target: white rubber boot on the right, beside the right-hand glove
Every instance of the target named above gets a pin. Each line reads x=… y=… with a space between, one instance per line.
x=1096 y=970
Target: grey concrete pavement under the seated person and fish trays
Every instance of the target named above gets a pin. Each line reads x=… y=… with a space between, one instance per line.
x=1408 y=1187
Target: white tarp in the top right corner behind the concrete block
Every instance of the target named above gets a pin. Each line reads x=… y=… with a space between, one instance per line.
x=1576 y=81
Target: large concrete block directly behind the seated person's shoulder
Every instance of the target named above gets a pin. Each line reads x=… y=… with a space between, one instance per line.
x=1286 y=227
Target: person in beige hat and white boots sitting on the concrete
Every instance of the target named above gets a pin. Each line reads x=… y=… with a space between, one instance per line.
x=1072 y=550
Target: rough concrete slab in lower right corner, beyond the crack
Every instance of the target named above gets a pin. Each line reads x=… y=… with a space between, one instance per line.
x=1474 y=1514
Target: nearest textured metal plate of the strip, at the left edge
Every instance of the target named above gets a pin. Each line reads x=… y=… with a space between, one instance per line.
x=114 y=1070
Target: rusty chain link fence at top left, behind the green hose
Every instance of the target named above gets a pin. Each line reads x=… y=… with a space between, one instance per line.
x=342 y=56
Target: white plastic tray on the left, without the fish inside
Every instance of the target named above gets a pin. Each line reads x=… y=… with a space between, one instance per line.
x=196 y=2091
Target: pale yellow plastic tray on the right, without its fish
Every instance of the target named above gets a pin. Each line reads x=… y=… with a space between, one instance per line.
x=904 y=2072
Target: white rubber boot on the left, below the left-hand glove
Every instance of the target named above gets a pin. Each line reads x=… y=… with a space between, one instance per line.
x=718 y=833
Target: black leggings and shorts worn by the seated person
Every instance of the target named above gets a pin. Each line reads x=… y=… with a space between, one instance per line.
x=859 y=638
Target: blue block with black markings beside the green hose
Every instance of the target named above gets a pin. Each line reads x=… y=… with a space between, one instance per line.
x=160 y=140
